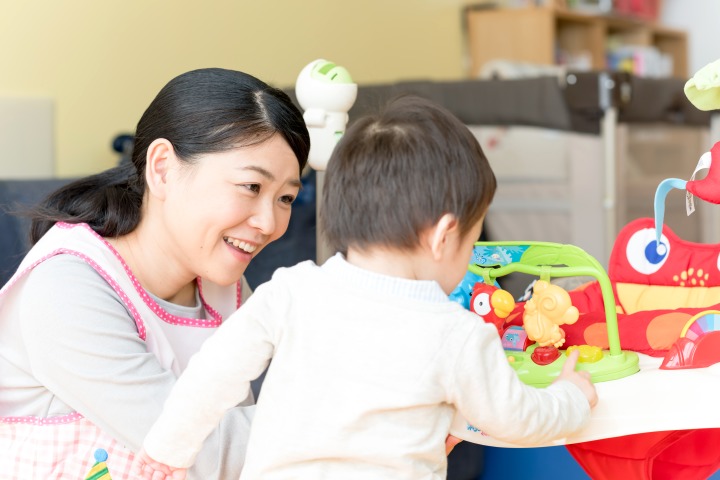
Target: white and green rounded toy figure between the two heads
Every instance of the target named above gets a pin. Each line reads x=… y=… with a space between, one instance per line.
x=326 y=93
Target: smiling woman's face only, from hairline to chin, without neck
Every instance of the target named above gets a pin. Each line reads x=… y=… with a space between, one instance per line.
x=223 y=210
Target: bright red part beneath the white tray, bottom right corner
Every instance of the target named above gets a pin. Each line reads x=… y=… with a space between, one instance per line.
x=686 y=454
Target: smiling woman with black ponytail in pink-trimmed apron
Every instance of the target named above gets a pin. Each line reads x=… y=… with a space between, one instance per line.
x=133 y=268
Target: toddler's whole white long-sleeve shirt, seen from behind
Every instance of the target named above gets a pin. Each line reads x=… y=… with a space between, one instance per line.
x=367 y=372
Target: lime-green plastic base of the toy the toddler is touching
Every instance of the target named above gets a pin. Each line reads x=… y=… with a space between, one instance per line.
x=609 y=367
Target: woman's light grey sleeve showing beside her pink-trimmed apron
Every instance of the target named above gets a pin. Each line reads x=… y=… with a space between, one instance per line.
x=84 y=347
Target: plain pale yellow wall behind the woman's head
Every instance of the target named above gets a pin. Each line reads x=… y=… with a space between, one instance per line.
x=102 y=61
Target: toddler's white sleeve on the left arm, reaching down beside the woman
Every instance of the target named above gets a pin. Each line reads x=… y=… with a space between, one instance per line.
x=216 y=378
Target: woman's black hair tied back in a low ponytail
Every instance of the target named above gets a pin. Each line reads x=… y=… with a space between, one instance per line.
x=199 y=112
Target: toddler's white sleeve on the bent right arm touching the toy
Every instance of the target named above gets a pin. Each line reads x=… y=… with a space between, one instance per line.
x=490 y=396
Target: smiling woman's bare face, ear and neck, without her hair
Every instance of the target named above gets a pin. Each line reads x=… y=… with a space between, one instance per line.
x=246 y=196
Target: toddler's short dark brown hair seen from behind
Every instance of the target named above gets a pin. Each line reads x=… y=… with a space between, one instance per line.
x=396 y=173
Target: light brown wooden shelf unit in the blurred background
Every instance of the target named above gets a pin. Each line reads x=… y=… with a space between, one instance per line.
x=538 y=35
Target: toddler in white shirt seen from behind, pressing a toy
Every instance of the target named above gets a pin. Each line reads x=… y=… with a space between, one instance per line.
x=370 y=358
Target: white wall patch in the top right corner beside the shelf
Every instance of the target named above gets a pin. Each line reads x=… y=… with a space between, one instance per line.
x=701 y=19
